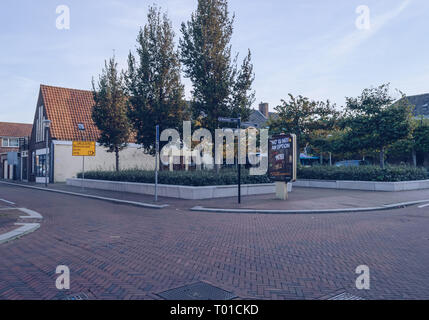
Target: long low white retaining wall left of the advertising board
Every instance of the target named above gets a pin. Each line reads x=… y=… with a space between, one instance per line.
x=180 y=192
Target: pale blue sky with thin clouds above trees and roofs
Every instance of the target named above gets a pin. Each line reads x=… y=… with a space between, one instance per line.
x=322 y=49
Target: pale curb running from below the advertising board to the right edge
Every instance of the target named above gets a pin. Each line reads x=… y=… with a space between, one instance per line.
x=321 y=211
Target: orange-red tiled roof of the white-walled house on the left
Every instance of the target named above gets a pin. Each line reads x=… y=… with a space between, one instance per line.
x=66 y=108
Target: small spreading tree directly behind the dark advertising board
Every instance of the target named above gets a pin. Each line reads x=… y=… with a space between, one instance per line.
x=307 y=119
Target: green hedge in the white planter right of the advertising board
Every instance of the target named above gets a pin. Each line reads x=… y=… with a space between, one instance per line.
x=364 y=173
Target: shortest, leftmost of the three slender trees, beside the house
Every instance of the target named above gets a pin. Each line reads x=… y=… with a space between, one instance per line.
x=110 y=109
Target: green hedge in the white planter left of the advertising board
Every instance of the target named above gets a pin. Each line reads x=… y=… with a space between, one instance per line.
x=185 y=178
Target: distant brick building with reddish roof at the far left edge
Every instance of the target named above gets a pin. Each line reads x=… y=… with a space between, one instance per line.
x=11 y=136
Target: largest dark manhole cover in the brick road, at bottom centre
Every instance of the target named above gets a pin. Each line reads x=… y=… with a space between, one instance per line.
x=197 y=291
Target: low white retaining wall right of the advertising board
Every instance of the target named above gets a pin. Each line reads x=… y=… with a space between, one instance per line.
x=364 y=185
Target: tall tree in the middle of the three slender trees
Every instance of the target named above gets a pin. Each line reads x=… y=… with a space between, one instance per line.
x=156 y=94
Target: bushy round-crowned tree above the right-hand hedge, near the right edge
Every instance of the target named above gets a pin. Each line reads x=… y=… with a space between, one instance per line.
x=373 y=121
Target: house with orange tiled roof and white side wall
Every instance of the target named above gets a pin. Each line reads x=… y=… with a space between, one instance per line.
x=63 y=116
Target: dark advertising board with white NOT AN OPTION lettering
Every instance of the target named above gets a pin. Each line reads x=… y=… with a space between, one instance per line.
x=282 y=158
